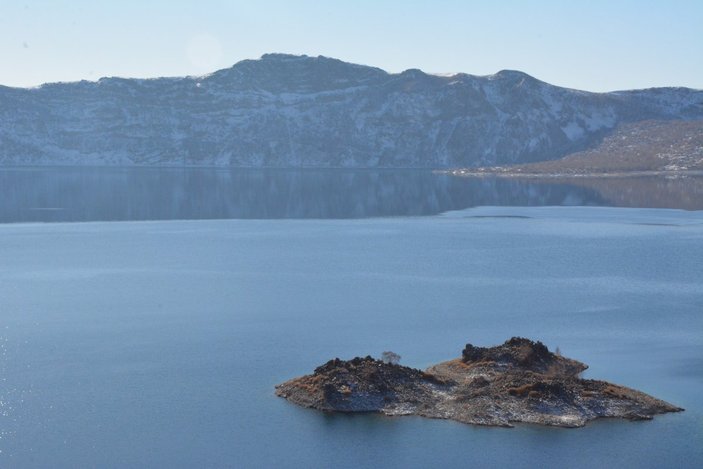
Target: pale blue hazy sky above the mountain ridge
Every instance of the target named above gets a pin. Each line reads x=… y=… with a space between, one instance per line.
x=594 y=45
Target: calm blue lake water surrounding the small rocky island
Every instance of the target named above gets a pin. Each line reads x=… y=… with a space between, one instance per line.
x=158 y=344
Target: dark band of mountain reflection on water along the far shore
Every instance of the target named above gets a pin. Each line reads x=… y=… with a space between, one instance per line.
x=103 y=194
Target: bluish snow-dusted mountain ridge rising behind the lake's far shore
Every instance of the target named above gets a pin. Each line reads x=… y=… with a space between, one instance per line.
x=299 y=111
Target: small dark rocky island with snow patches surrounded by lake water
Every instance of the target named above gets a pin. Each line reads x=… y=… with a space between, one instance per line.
x=518 y=381
